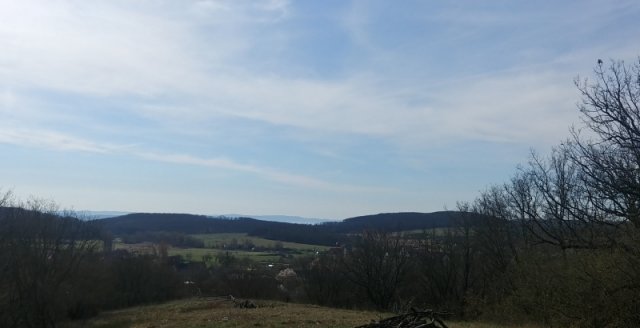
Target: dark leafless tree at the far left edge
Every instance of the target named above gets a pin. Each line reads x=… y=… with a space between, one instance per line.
x=41 y=251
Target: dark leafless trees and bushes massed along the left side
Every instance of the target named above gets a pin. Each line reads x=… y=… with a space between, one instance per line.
x=55 y=267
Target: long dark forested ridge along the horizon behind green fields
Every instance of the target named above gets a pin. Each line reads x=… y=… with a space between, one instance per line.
x=321 y=234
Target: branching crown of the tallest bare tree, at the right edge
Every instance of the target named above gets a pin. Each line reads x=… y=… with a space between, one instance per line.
x=610 y=159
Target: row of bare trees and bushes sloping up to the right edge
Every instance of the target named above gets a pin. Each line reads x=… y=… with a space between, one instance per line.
x=558 y=244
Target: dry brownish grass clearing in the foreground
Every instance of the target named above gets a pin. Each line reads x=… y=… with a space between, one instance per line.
x=197 y=313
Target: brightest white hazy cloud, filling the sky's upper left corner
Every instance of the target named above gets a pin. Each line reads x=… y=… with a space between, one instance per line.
x=114 y=48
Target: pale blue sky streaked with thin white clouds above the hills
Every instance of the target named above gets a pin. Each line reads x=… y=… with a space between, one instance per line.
x=324 y=109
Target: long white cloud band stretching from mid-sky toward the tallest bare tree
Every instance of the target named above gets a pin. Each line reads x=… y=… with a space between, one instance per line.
x=526 y=106
